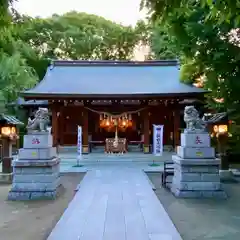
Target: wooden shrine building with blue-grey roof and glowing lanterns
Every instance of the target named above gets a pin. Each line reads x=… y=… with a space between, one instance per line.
x=114 y=97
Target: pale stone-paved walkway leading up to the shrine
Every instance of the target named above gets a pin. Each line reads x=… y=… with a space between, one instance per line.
x=115 y=204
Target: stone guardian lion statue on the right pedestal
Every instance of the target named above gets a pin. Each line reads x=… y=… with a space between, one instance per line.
x=193 y=121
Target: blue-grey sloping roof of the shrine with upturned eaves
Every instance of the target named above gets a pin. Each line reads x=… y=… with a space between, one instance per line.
x=111 y=79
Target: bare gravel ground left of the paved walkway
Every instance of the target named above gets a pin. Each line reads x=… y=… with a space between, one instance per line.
x=34 y=220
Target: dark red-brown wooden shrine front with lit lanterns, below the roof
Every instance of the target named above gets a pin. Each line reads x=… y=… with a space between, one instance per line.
x=114 y=127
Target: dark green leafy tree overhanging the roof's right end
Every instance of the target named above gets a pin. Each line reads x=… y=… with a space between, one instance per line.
x=209 y=46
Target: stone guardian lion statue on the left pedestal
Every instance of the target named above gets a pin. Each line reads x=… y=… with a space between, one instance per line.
x=40 y=121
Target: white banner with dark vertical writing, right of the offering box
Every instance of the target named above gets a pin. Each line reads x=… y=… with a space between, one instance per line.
x=157 y=140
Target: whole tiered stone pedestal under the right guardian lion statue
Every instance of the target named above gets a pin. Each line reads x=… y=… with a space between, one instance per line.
x=196 y=170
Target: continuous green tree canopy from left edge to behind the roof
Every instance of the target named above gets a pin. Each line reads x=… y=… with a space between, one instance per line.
x=29 y=44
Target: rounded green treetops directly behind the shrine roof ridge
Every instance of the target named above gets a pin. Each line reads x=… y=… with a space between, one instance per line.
x=79 y=36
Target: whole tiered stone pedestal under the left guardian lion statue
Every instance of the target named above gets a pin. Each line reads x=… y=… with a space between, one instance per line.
x=36 y=171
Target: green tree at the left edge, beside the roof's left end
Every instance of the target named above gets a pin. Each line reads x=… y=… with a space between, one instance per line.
x=15 y=73
